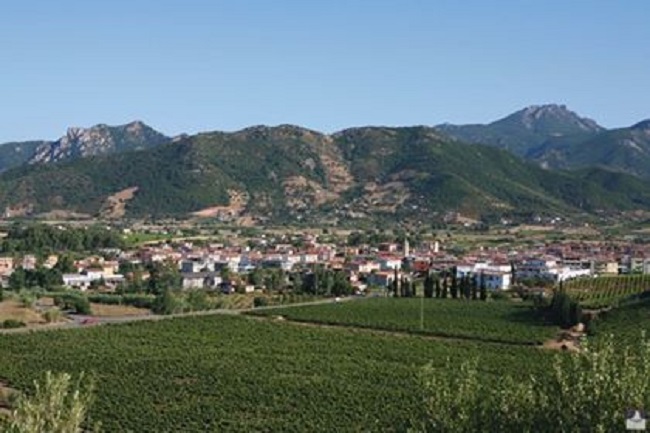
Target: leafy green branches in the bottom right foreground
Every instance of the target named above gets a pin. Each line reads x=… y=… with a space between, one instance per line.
x=589 y=391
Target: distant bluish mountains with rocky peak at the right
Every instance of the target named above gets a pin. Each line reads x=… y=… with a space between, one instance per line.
x=555 y=137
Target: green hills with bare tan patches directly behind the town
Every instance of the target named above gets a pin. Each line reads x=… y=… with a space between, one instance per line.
x=288 y=173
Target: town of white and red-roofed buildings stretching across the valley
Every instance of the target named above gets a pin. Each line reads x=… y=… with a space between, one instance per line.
x=316 y=263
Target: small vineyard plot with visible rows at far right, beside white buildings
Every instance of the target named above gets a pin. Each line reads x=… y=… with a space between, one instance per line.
x=605 y=292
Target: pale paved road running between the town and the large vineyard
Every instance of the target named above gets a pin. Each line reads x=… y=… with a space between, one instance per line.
x=79 y=321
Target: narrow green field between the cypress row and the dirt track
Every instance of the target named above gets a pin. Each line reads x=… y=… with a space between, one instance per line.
x=498 y=321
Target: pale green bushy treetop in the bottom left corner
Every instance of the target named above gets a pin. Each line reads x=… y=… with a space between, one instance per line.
x=59 y=404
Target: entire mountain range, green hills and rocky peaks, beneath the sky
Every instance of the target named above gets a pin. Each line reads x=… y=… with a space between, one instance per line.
x=289 y=173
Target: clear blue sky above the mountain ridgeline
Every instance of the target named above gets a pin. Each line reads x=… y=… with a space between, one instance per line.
x=199 y=65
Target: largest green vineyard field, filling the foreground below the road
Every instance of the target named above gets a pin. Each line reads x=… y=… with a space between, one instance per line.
x=225 y=373
